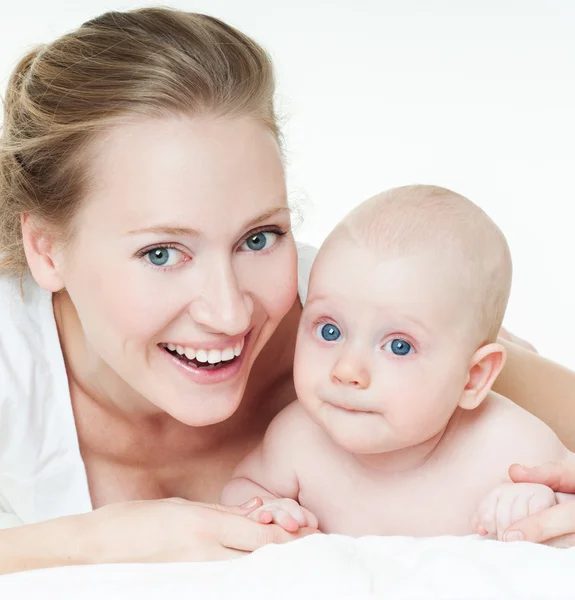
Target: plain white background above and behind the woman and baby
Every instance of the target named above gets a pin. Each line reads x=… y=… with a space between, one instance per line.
x=476 y=95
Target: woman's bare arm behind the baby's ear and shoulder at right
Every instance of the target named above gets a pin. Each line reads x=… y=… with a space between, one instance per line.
x=542 y=387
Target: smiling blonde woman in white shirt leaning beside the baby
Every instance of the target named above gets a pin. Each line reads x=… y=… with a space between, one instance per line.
x=149 y=291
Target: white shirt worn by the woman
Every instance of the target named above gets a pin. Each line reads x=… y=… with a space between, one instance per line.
x=42 y=474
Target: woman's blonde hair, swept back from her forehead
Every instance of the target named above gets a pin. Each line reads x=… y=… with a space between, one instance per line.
x=143 y=63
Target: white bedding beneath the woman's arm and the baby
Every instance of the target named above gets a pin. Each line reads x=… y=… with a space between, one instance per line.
x=326 y=567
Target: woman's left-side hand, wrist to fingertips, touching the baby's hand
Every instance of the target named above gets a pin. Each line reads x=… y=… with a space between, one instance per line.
x=173 y=530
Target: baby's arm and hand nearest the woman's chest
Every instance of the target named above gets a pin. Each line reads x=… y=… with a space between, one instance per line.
x=271 y=472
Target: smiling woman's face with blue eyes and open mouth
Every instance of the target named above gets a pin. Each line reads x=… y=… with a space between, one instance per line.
x=183 y=263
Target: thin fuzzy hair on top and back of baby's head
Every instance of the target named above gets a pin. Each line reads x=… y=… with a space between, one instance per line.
x=423 y=217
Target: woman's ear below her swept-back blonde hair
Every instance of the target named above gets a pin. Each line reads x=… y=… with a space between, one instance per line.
x=40 y=248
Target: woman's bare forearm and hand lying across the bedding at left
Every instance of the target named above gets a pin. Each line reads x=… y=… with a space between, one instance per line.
x=173 y=530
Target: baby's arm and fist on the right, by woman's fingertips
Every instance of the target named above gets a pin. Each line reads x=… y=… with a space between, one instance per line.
x=518 y=438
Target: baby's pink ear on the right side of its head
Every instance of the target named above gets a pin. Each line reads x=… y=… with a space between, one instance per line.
x=485 y=366
